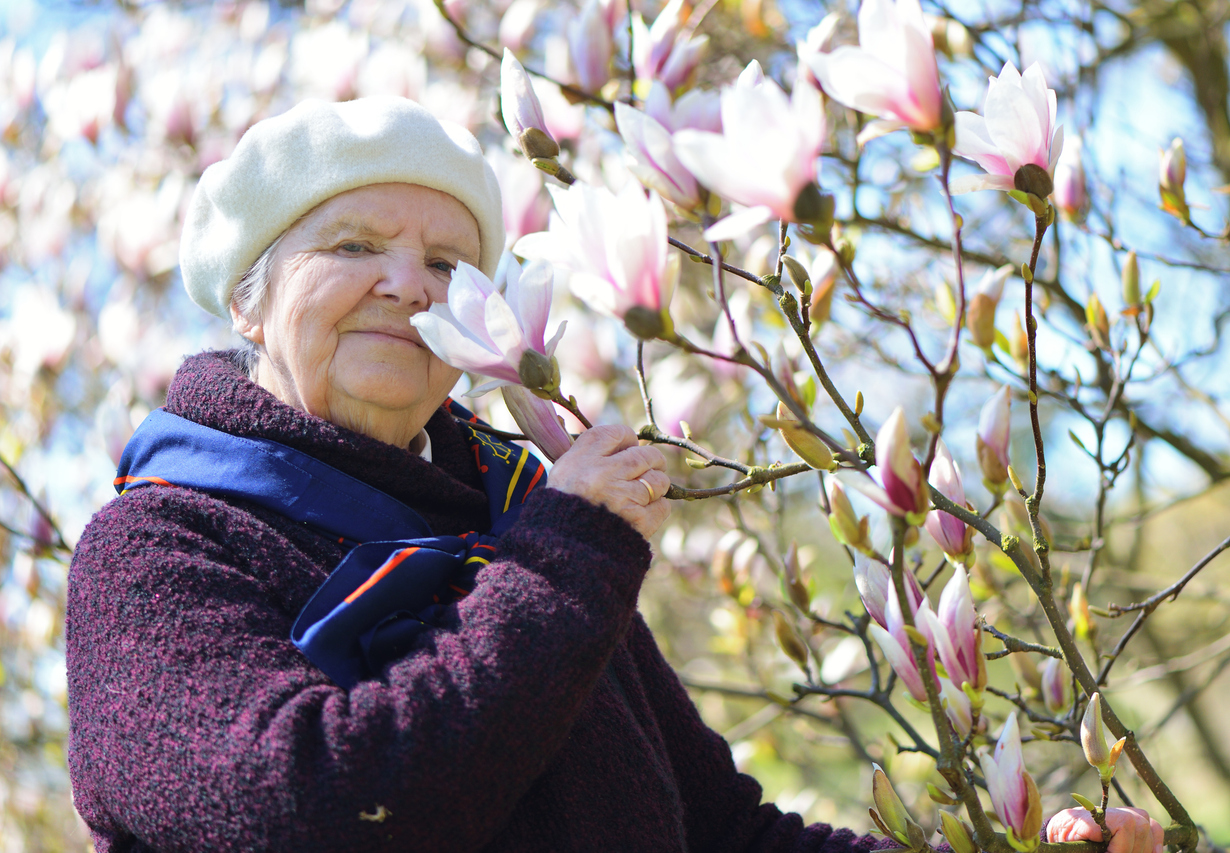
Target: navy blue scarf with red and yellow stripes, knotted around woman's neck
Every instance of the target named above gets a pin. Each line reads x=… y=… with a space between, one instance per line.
x=398 y=577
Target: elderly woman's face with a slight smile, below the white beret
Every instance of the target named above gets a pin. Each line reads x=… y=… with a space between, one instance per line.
x=346 y=281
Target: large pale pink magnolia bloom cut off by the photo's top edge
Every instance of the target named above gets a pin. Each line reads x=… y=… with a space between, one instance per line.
x=891 y=74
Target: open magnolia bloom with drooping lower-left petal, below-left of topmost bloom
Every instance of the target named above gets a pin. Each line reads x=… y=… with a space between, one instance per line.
x=766 y=156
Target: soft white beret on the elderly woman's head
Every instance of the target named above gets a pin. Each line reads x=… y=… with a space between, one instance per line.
x=287 y=166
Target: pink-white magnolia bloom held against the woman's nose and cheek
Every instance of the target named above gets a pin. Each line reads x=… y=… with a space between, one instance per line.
x=486 y=332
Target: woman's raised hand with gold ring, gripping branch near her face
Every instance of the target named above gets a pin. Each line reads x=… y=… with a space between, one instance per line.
x=608 y=467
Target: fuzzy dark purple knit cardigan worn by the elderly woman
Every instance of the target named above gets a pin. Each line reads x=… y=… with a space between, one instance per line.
x=541 y=717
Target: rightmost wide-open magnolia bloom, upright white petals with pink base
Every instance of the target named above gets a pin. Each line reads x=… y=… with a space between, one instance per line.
x=1015 y=140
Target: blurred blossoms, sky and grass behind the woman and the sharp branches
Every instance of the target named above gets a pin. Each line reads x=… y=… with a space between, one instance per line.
x=110 y=113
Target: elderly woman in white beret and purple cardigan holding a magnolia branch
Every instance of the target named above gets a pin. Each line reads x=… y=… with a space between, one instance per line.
x=256 y=662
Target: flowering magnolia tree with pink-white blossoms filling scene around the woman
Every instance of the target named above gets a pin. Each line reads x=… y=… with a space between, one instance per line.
x=828 y=263
